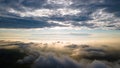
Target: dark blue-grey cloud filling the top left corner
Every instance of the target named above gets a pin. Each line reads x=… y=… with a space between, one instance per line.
x=22 y=3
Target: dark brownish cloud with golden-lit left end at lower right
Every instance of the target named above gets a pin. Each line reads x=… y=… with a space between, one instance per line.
x=98 y=53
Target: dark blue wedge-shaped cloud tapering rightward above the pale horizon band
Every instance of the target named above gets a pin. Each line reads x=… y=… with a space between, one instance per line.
x=7 y=22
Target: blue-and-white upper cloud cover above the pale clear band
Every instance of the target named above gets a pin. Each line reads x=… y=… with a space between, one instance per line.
x=93 y=14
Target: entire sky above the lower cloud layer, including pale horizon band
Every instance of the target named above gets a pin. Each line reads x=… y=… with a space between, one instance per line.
x=60 y=20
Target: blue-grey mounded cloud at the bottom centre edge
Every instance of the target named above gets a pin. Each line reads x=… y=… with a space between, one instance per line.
x=54 y=62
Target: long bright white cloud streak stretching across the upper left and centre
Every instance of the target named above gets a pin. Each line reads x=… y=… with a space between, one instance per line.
x=46 y=12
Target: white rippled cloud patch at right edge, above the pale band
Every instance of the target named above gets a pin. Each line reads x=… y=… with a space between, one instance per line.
x=105 y=20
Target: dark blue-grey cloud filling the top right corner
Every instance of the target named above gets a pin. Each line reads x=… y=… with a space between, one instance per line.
x=110 y=5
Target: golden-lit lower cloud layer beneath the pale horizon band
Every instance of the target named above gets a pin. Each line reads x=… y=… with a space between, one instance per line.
x=46 y=55
